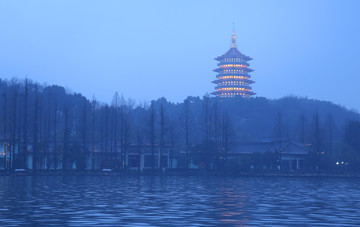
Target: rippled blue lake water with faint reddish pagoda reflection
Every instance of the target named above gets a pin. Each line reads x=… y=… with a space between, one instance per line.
x=178 y=201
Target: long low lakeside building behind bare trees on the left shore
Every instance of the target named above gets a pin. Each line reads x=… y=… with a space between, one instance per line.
x=133 y=156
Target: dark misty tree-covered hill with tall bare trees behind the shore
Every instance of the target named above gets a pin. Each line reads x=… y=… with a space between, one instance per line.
x=60 y=128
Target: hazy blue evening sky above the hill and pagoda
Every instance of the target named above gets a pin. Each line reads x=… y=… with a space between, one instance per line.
x=151 y=49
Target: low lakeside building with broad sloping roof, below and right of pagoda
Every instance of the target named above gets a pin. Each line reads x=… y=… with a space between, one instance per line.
x=258 y=154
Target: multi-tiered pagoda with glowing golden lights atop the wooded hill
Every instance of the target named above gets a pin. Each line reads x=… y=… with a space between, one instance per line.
x=233 y=77
